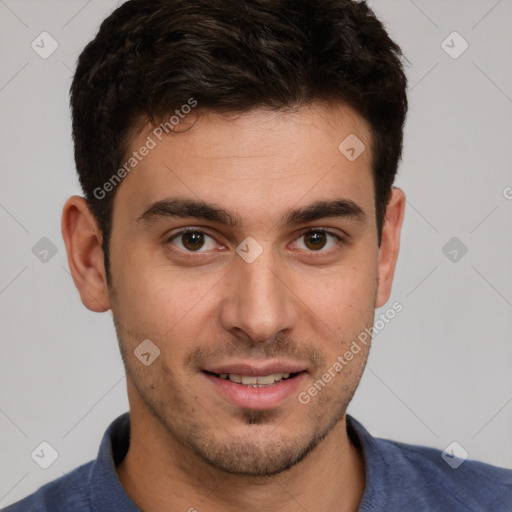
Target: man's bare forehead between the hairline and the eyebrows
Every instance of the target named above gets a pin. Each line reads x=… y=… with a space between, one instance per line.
x=258 y=163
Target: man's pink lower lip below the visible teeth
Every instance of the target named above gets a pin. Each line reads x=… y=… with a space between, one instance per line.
x=248 y=397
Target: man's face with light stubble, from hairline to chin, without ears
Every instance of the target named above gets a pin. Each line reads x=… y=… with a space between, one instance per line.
x=245 y=249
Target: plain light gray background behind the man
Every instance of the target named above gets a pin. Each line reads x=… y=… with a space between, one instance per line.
x=439 y=372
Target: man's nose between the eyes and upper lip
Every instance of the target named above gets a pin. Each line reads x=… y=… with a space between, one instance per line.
x=259 y=303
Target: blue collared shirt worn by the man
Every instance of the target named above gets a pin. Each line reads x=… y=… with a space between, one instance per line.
x=399 y=478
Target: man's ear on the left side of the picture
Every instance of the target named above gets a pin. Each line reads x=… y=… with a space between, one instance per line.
x=83 y=241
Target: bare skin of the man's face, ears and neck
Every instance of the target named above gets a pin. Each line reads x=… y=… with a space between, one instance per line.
x=297 y=302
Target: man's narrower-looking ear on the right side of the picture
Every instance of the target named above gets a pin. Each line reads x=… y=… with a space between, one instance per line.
x=390 y=245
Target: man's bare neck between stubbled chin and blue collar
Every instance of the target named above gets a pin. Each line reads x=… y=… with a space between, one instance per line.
x=159 y=474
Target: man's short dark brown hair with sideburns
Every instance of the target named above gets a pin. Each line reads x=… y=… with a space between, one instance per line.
x=151 y=56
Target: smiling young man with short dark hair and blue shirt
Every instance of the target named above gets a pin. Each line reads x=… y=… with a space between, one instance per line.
x=239 y=219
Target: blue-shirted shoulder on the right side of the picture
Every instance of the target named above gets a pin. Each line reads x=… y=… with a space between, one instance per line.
x=401 y=475
